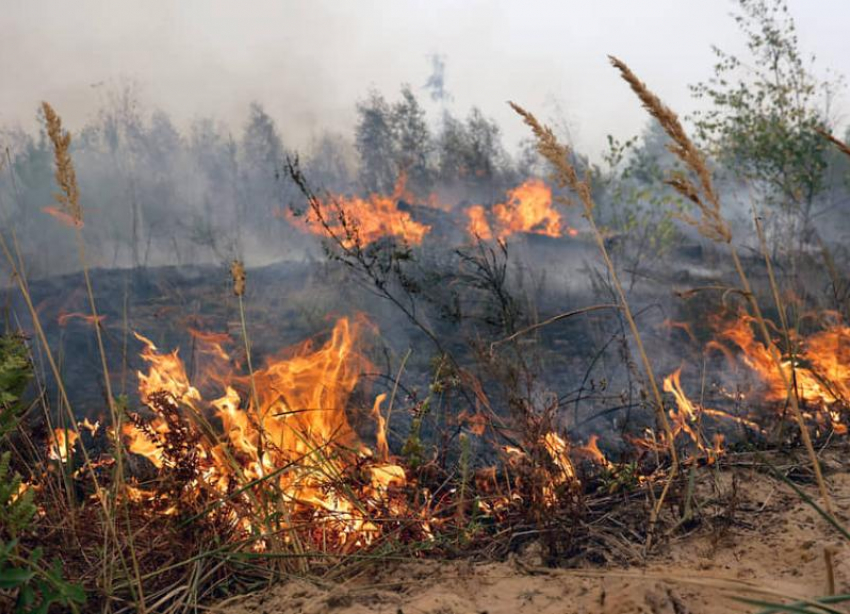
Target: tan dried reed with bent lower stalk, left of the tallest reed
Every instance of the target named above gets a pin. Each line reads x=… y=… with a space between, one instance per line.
x=566 y=177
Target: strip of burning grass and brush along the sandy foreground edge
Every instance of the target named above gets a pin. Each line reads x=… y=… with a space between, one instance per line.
x=249 y=489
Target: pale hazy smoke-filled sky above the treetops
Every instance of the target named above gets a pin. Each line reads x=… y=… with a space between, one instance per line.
x=309 y=62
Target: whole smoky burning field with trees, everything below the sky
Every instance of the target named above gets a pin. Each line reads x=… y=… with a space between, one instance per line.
x=415 y=373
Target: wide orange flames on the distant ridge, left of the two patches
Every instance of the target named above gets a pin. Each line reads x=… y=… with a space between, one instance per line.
x=356 y=221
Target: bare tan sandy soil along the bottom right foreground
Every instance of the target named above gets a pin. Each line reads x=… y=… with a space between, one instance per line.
x=773 y=542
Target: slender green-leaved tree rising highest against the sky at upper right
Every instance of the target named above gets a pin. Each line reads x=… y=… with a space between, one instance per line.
x=764 y=115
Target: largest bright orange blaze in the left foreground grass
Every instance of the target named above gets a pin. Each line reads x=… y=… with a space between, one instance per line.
x=287 y=428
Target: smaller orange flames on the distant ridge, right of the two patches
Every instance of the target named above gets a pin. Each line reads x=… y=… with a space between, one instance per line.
x=528 y=208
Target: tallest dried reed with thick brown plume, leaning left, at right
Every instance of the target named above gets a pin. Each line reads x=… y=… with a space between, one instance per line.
x=713 y=226
